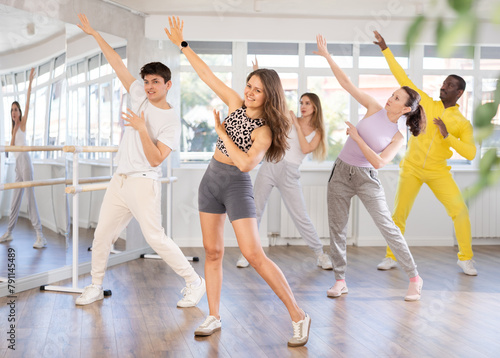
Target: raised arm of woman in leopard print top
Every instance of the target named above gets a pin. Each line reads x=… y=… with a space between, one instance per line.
x=225 y=93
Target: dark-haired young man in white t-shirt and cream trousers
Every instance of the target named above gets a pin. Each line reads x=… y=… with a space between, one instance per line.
x=152 y=132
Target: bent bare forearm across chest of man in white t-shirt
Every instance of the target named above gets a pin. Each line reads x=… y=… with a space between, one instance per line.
x=155 y=153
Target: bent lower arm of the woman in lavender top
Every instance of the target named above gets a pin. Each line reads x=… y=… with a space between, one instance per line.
x=377 y=160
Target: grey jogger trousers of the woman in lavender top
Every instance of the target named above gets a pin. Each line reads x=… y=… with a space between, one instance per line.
x=345 y=182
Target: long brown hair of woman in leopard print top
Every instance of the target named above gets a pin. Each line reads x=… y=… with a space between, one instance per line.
x=274 y=113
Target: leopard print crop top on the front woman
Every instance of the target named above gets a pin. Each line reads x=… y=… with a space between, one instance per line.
x=239 y=128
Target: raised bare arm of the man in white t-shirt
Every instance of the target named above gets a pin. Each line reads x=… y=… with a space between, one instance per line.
x=113 y=58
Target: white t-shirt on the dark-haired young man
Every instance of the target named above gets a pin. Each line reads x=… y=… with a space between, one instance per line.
x=163 y=125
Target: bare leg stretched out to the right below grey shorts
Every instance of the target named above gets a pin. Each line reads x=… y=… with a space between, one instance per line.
x=249 y=242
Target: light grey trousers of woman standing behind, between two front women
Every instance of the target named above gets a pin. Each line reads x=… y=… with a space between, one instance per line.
x=286 y=177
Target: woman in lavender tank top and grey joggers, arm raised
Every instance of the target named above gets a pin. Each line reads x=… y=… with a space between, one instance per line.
x=371 y=144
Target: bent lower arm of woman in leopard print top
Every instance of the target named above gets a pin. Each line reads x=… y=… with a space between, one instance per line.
x=261 y=141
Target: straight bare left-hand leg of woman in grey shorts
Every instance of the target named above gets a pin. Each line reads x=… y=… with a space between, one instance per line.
x=212 y=228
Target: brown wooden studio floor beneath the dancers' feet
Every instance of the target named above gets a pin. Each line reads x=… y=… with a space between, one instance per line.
x=458 y=316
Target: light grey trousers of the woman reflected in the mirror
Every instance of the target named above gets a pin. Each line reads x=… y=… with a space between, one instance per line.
x=24 y=172
